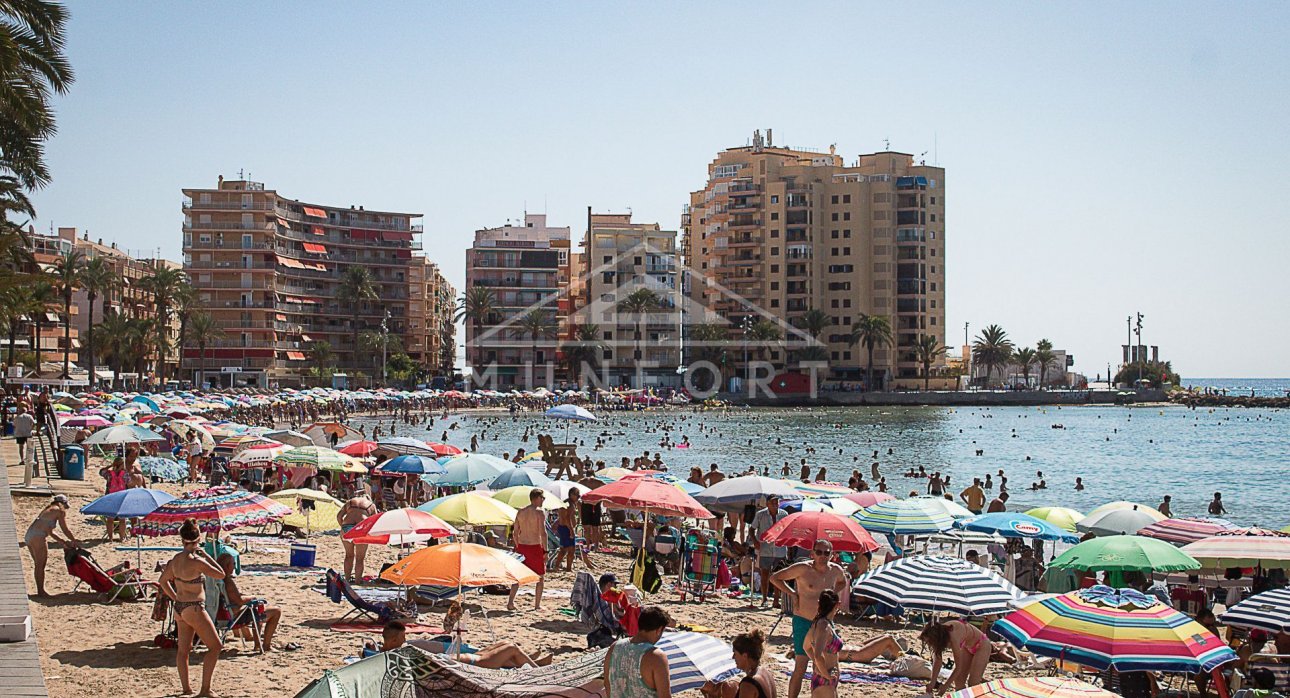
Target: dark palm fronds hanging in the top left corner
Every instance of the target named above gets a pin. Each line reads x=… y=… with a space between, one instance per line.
x=33 y=35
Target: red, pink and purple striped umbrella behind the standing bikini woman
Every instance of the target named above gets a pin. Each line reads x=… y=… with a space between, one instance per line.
x=216 y=510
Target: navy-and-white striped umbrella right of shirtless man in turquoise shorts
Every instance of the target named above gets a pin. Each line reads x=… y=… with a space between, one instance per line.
x=940 y=584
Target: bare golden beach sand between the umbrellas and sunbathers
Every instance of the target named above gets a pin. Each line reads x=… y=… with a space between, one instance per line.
x=95 y=650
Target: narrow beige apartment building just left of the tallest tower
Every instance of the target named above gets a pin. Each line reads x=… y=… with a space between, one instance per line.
x=621 y=259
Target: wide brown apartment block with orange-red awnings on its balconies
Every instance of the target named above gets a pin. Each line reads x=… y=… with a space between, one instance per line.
x=270 y=269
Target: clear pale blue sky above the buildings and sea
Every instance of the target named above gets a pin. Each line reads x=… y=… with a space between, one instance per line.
x=1102 y=159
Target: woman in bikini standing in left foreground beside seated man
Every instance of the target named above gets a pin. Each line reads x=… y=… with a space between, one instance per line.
x=183 y=581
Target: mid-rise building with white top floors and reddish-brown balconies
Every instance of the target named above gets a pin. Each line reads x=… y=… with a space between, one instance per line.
x=527 y=270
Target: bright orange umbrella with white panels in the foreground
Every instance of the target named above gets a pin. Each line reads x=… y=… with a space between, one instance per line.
x=460 y=566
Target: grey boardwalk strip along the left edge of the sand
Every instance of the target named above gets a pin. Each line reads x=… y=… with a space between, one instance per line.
x=20 y=663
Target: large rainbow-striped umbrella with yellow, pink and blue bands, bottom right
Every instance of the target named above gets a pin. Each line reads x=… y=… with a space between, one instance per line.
x=1106 y=628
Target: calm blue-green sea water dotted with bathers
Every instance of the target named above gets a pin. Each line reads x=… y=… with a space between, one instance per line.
x=1136 y=454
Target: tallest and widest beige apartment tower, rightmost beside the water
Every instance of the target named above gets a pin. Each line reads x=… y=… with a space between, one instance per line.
x=779 y=232
